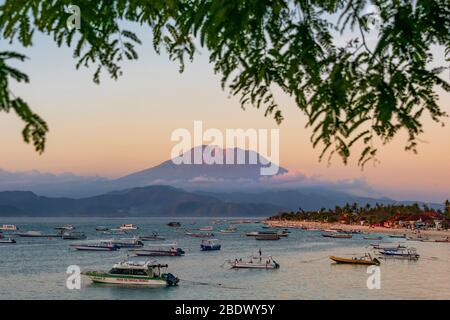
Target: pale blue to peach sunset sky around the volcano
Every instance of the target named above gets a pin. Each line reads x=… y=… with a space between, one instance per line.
x=122 y=126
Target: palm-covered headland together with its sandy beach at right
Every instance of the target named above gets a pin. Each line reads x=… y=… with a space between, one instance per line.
x=391 y=219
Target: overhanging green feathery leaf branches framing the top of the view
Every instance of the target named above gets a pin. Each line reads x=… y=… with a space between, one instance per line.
x=350 y=92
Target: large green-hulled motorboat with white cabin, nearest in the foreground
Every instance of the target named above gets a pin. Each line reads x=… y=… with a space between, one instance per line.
x=134 y=273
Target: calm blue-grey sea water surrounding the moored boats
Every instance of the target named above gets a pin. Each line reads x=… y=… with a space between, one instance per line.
x=35 y=268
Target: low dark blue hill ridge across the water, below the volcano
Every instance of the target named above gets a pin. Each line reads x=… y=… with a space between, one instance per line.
x=146 y=201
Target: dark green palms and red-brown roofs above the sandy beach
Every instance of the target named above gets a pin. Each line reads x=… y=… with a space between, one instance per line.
x=396 y=215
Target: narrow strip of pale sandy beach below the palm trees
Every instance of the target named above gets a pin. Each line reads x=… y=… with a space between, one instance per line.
x=431 y=234
